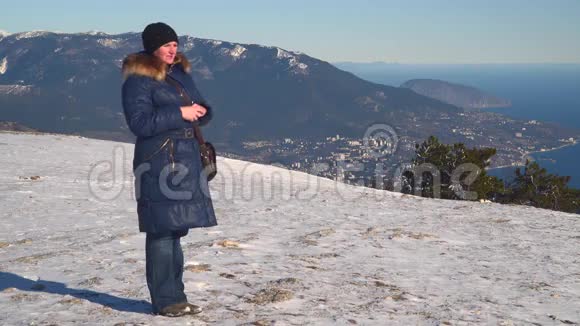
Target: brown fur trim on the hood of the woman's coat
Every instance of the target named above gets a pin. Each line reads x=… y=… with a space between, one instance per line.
x=144 y=64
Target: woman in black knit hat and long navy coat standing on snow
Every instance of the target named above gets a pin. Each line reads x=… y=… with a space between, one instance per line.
x=161 y=104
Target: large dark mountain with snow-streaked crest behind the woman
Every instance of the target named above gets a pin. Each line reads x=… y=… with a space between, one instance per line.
x=79 y=75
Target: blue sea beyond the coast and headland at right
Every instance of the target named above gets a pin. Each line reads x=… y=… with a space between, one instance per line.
x=543 y=92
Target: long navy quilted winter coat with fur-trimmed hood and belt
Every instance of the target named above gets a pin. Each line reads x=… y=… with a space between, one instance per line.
x=170 y=185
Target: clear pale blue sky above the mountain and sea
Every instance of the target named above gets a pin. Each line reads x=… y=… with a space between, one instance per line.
x=404 y=31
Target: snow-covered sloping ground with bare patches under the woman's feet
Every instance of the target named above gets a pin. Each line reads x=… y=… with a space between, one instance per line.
x=291 y=249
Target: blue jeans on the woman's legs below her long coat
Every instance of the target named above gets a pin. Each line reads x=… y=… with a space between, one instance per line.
x=164 y=269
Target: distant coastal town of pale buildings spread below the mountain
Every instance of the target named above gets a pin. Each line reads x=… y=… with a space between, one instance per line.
x=366 y=161
